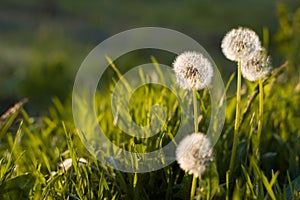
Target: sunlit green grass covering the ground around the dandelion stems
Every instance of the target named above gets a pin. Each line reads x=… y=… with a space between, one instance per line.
x=32 y=149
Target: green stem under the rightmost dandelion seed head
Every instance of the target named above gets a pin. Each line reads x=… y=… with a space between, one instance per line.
x=260 y=121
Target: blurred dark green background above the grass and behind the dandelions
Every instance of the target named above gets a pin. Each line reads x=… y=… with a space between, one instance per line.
x=43 y=42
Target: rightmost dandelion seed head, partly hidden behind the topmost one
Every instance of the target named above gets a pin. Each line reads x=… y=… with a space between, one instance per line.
x=256 y=67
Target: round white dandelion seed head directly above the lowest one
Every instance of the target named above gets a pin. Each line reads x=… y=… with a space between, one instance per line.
x=193 y=70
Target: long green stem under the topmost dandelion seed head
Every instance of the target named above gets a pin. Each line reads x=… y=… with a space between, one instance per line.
x=237 y=119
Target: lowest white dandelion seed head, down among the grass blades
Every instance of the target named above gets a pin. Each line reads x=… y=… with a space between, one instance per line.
x=194 y=153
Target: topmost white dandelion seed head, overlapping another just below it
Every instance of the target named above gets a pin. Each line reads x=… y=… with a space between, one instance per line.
x=240 y=43
